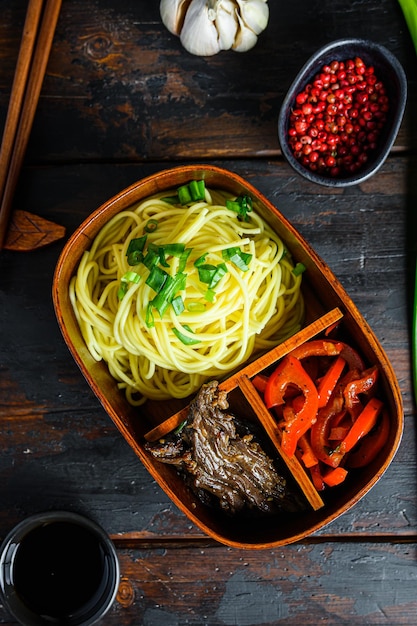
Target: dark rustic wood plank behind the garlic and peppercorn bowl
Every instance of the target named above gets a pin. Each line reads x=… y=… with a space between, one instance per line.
x=119 y=86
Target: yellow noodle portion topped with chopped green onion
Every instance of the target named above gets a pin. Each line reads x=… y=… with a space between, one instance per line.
x=152 y=355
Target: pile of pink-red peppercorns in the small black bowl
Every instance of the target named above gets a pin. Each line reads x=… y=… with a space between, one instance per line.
x=337 y=118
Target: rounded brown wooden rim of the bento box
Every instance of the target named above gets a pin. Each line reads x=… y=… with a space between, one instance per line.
x=153 y=184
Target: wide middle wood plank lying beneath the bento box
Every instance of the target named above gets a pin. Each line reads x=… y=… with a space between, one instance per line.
x=59 y=440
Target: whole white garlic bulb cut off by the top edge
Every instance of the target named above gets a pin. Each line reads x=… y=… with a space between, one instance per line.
x=207 y=26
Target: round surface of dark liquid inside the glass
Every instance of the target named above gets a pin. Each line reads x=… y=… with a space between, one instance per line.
x=58 y=568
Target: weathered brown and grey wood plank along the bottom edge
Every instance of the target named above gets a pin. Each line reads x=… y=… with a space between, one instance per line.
x=208 y=584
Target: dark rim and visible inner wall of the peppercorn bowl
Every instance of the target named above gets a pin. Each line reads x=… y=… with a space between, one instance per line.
x=305 y=74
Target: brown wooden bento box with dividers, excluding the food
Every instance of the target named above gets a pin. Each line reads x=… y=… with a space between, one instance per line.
x=327 y=305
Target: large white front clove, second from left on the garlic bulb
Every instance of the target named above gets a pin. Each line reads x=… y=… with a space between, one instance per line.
x=199 y=33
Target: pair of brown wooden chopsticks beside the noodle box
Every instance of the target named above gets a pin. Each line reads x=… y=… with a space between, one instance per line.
x=39 y=28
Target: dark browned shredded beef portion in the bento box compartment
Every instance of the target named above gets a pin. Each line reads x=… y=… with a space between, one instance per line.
x=220 y=459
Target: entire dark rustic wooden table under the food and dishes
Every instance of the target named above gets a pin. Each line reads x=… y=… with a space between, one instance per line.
x=122 y=99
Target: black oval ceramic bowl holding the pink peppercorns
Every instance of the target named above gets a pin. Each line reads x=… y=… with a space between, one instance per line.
x=387 y=69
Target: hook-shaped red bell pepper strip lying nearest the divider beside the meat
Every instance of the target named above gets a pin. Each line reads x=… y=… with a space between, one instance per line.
x=289 y=374
